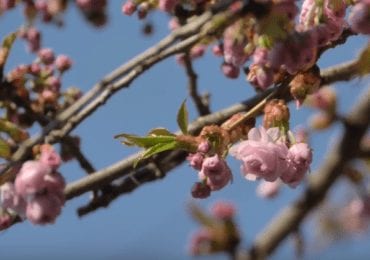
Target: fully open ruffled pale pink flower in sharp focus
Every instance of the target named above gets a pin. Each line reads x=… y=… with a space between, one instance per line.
x=262 y=155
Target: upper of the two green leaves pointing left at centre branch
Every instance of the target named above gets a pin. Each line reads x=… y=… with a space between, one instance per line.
x=146 y=141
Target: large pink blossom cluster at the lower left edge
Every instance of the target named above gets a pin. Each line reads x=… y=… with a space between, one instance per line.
x=37 y=192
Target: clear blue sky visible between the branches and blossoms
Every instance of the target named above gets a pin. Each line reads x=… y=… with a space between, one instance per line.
x=152 y=222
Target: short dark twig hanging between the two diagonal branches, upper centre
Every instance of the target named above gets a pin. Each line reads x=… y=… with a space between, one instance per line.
x=200 y=102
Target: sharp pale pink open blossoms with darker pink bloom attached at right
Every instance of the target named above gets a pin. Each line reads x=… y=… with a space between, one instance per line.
x=265 y=155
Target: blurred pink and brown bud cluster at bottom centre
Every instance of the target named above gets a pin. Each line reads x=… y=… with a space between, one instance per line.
x=218 y=232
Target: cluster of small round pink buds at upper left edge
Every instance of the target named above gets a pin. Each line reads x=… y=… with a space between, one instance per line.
x=39 y=85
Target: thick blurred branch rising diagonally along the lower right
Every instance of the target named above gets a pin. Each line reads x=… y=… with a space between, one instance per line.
x=289 y=219
